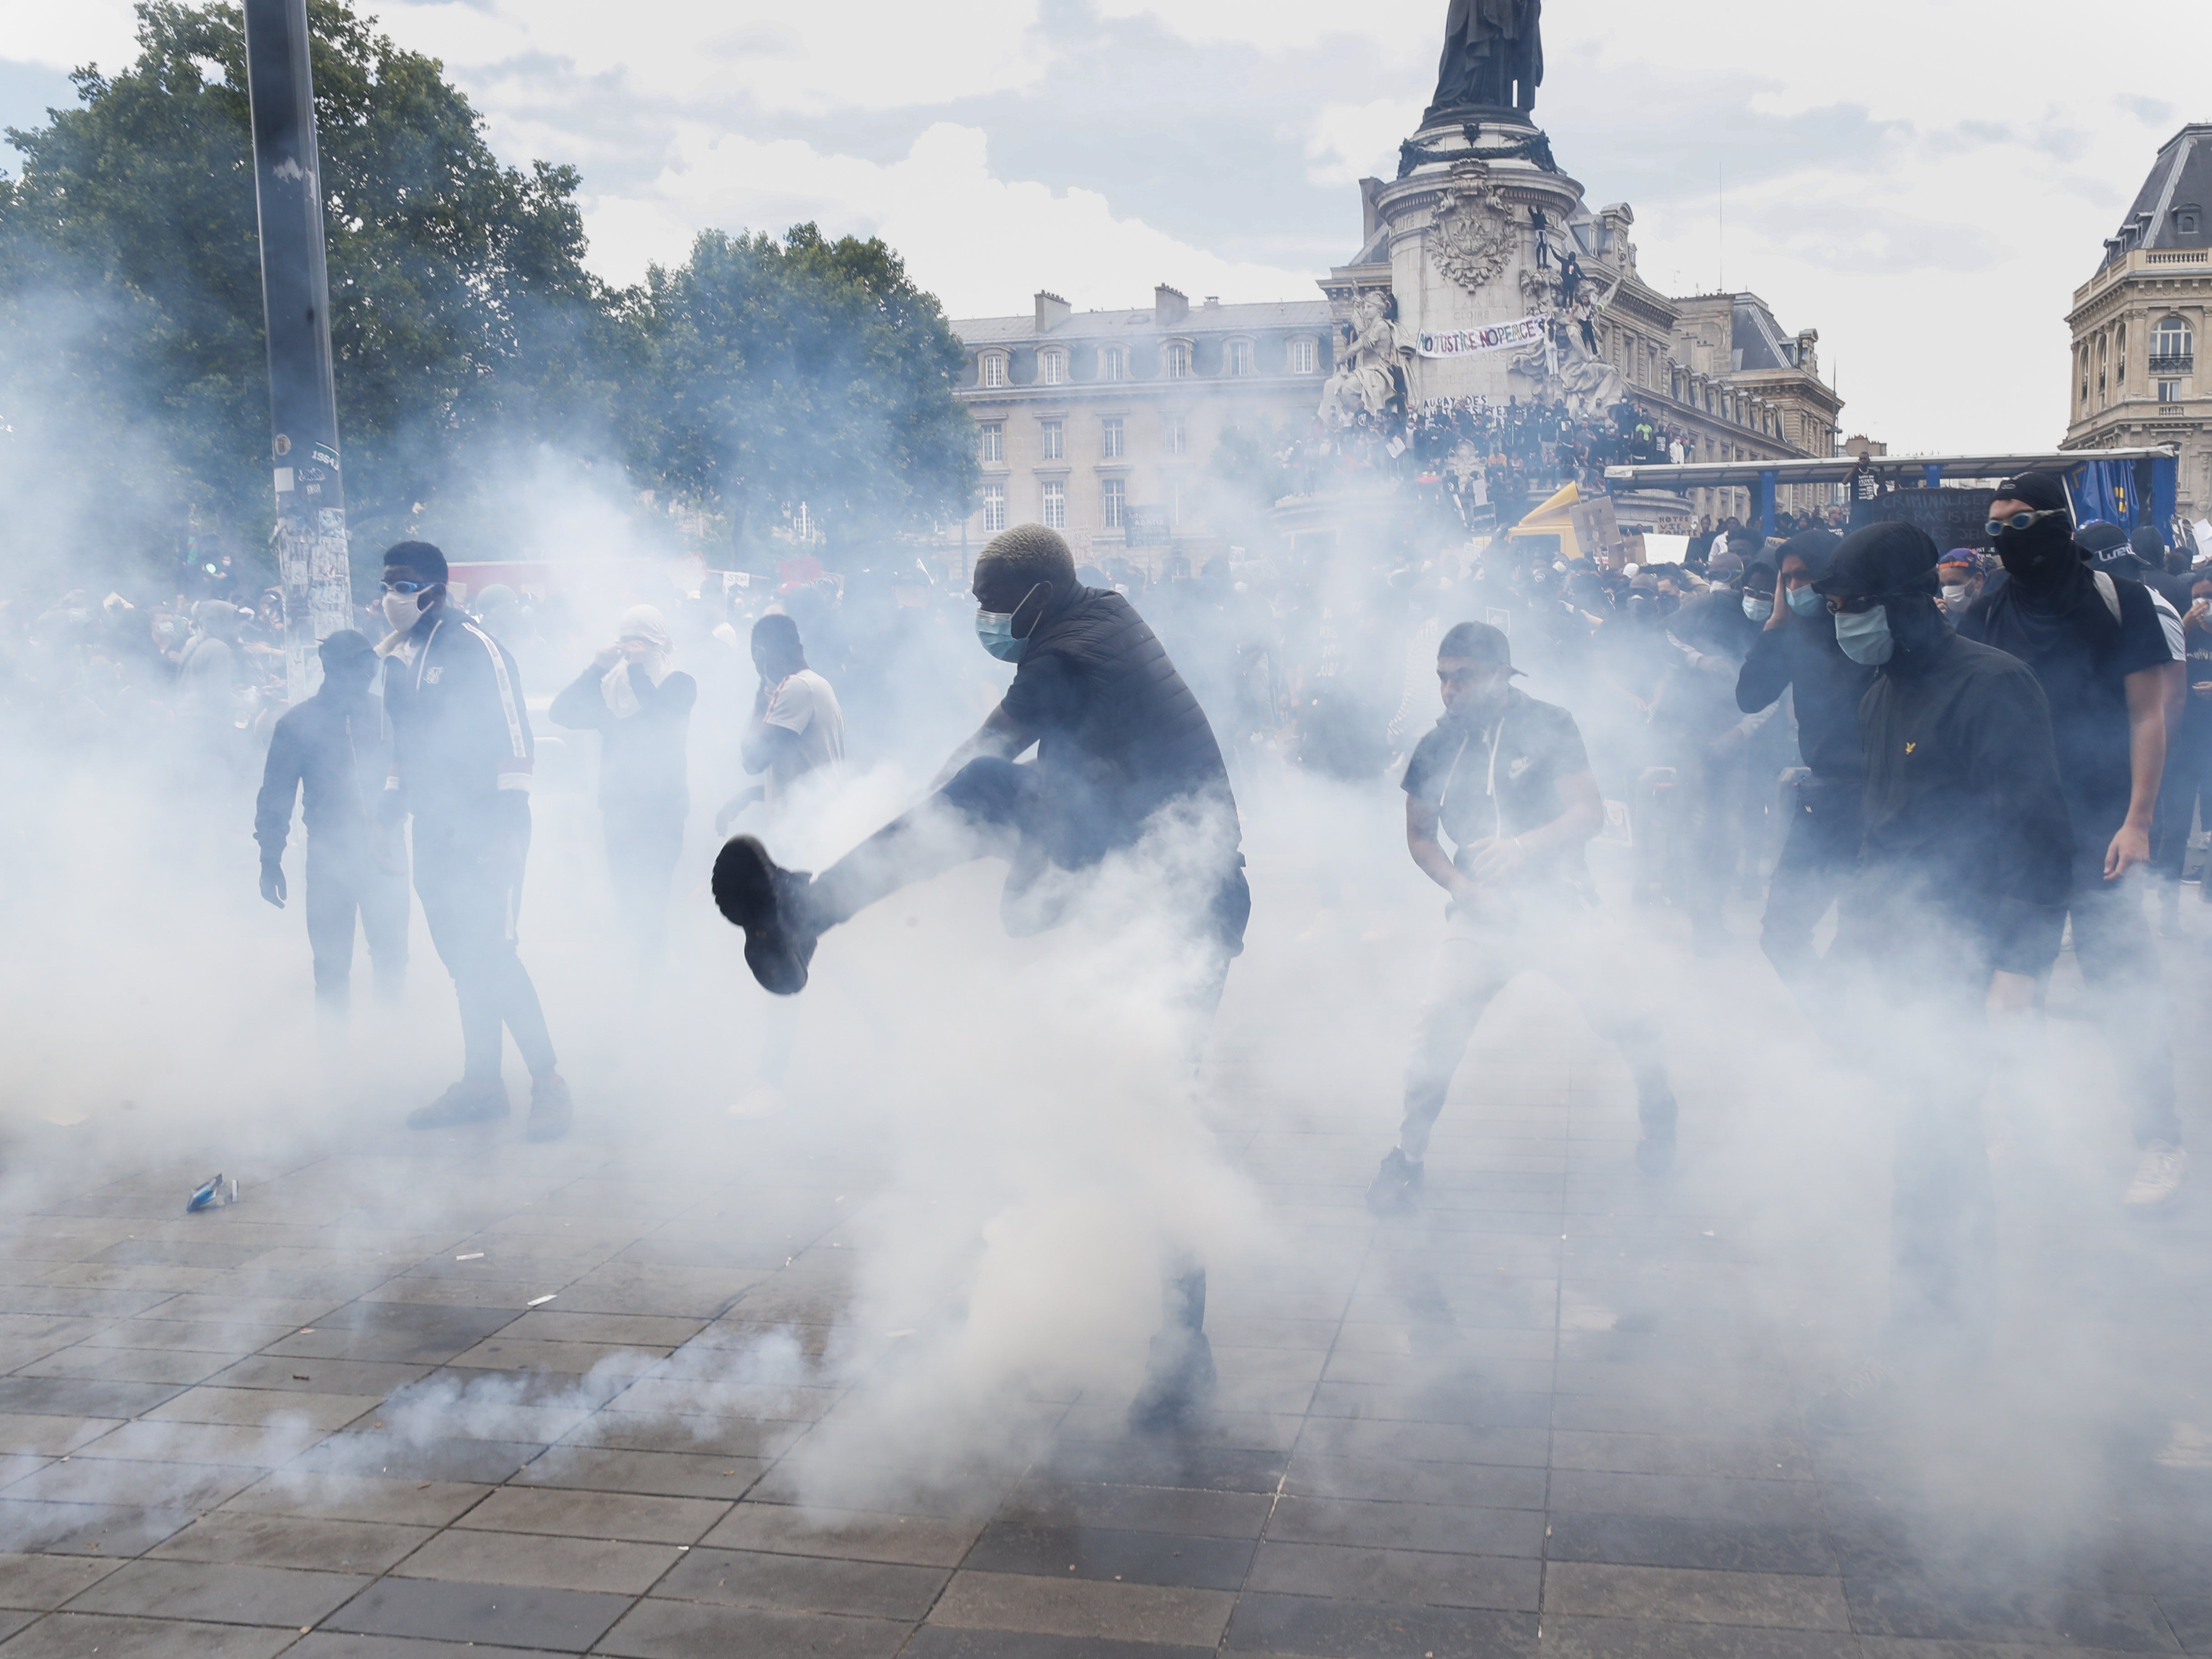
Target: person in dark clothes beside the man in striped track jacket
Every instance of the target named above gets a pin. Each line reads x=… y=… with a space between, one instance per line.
x=337 y=751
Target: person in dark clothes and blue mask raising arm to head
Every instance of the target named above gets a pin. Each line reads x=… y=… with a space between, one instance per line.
x=1797 y=654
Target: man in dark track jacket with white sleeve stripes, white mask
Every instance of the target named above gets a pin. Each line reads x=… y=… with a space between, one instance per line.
x=461 y=764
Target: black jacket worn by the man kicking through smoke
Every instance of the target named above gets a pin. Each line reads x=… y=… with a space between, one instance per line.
x=1118 y=731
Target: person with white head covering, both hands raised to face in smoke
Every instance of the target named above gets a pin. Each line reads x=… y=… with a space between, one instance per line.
x=640 y=705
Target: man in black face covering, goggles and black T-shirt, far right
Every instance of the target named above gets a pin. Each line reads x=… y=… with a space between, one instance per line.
x=2107 y=667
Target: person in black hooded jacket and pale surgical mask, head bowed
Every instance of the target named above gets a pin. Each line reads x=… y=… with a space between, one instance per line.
x=1957 y=906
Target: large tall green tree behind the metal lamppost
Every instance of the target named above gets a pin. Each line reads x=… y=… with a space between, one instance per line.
x=463 y=320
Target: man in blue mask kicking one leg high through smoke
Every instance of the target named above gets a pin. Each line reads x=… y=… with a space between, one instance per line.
x=1120 y=742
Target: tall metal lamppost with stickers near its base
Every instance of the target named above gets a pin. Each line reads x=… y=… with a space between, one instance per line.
x=295 y=302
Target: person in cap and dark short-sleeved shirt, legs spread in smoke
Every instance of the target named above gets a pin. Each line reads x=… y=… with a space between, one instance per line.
x=1510 y=784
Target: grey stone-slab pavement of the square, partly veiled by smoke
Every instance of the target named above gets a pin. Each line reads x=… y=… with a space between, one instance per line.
x=1561 y=1412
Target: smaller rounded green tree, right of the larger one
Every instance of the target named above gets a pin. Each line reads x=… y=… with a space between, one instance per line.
x=800 y=371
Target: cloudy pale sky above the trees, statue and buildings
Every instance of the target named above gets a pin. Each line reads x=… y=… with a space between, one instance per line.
x=1921 y=180
